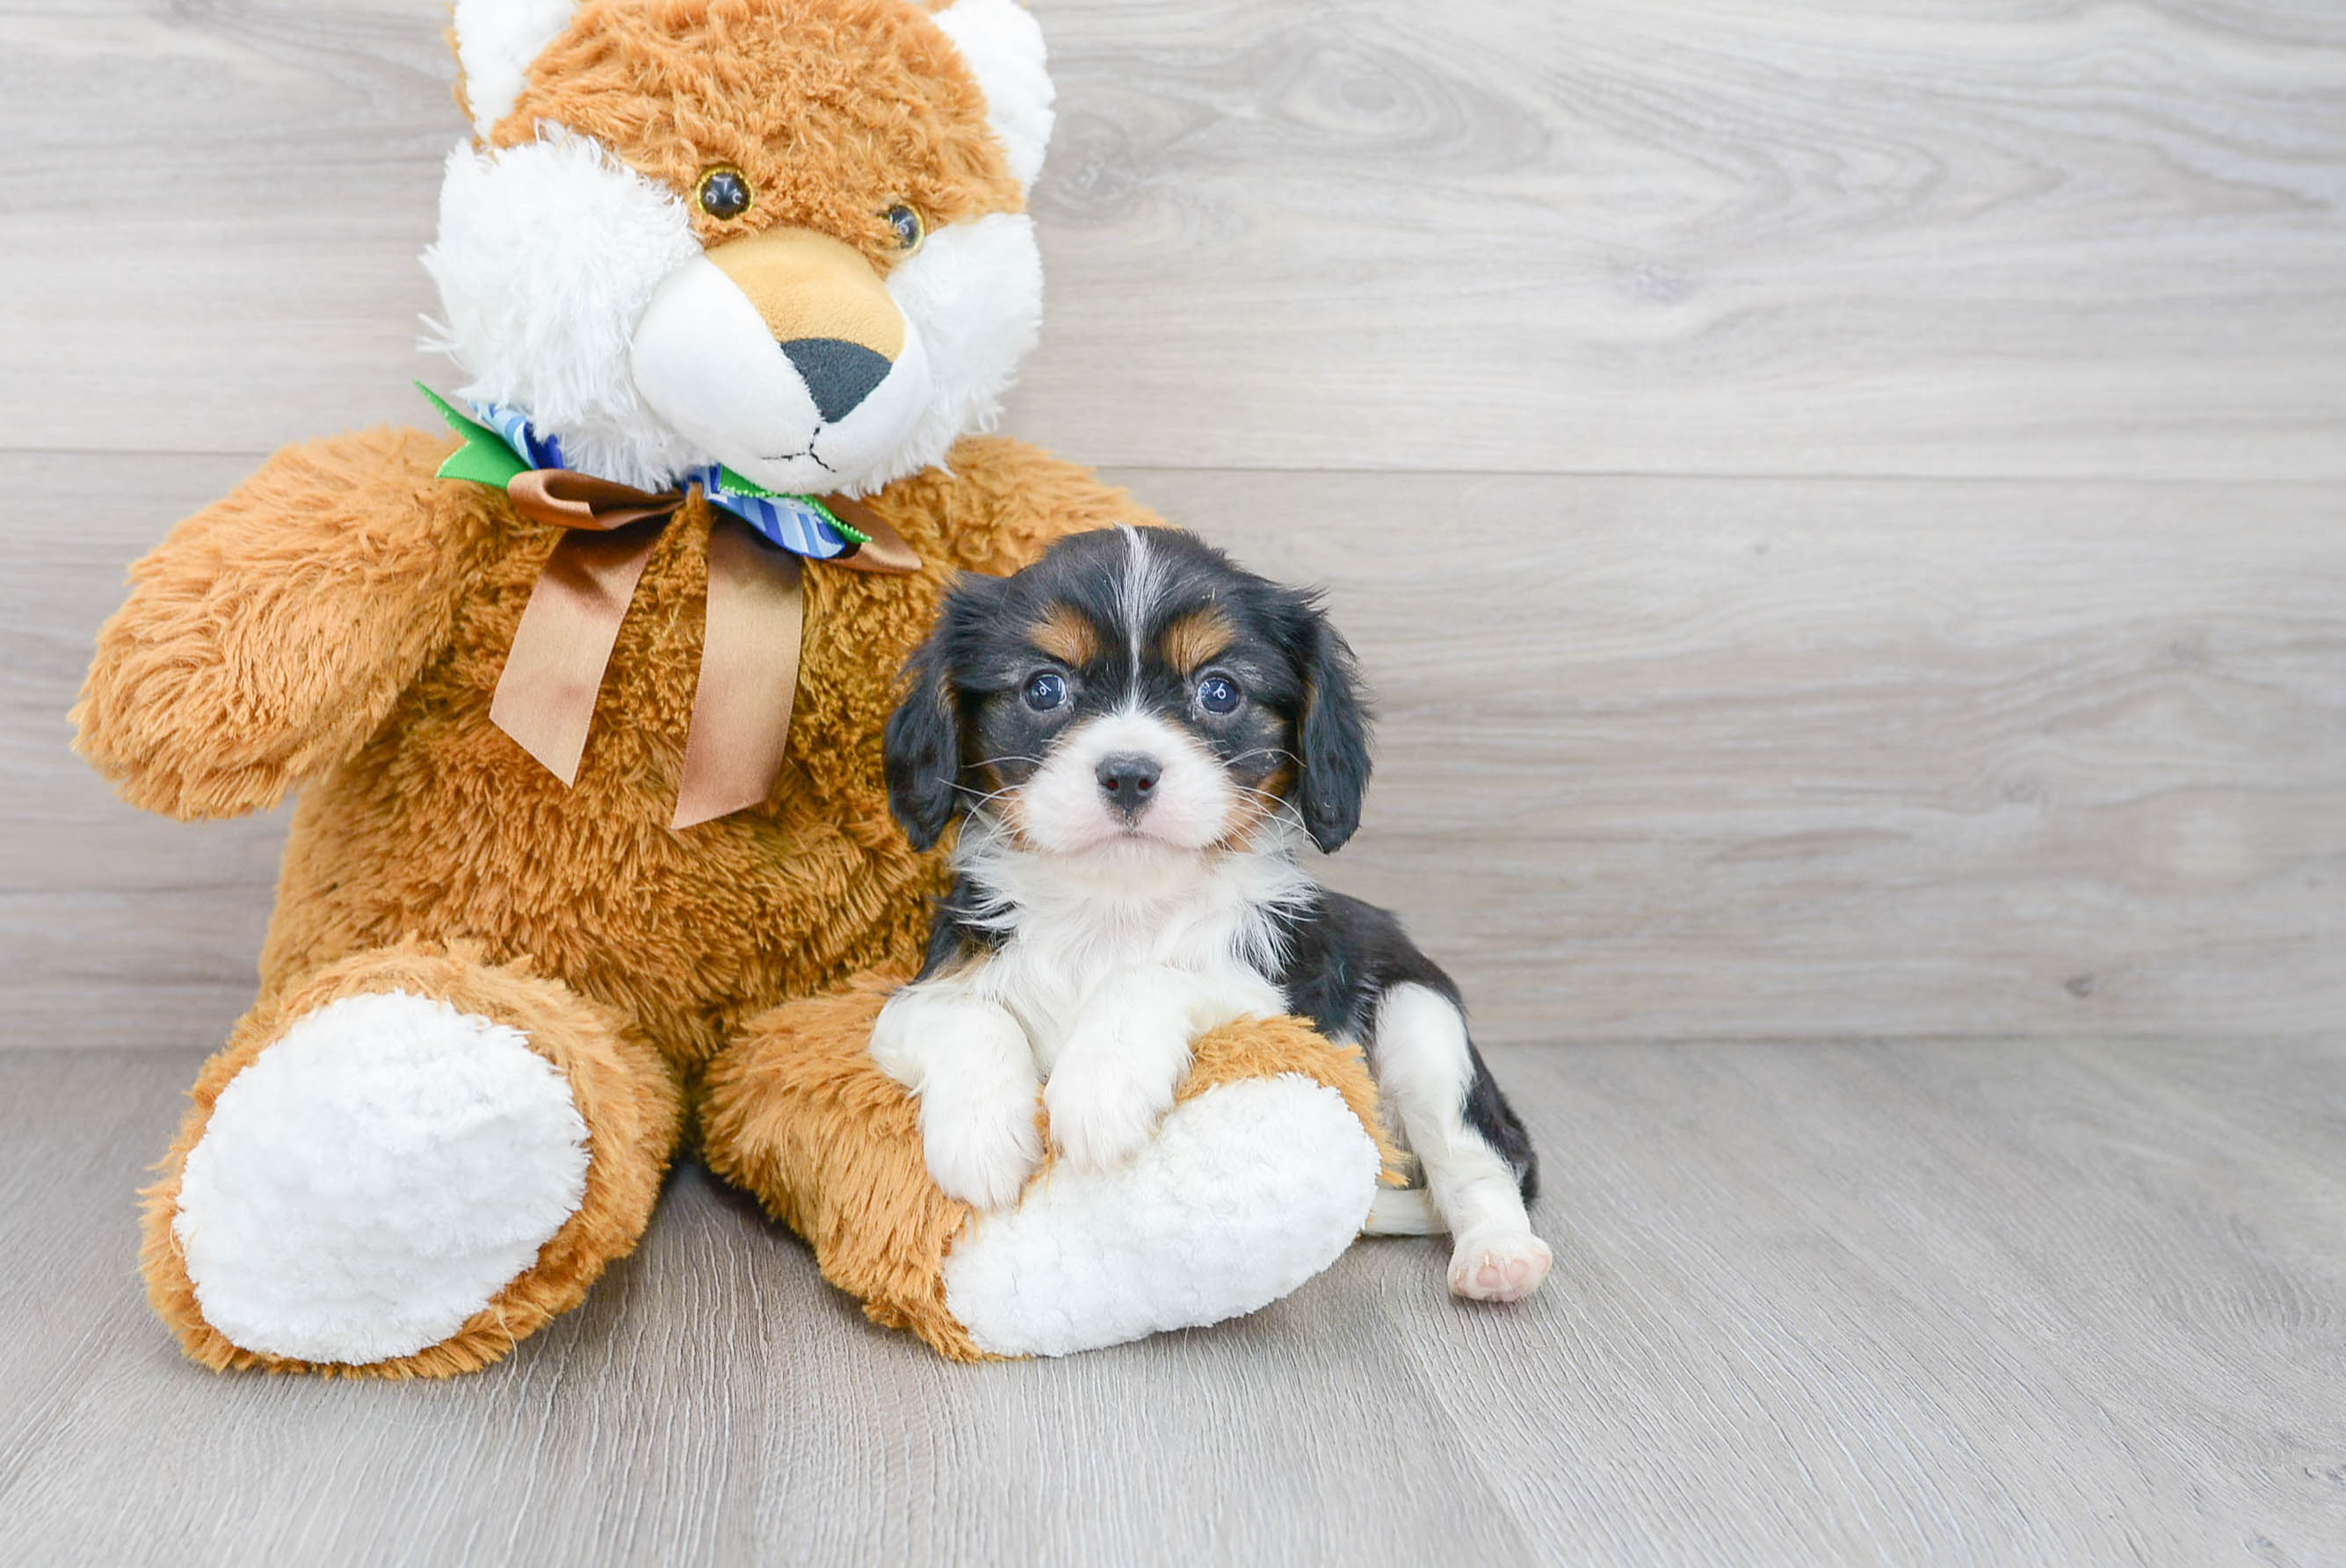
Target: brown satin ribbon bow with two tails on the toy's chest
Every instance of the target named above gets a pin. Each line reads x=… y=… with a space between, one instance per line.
x=750 y=648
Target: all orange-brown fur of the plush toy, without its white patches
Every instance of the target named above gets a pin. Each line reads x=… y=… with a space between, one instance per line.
x=339 y=627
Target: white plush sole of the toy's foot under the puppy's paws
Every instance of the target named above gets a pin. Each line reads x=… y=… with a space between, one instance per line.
x=1245 y=1194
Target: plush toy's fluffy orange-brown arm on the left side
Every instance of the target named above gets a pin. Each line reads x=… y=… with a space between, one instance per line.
x=271 y=634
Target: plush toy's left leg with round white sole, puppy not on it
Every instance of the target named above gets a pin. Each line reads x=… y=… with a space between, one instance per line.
x=402 y=1164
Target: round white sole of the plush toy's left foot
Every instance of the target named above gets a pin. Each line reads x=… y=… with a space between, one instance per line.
x=377 y=1178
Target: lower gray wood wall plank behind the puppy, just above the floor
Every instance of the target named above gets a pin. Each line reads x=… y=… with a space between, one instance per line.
x=1660 y=758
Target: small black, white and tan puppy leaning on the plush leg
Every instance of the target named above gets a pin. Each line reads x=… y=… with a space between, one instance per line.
x=1141 y=737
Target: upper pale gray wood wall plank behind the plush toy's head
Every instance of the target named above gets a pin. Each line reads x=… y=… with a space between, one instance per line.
x=1639 y=236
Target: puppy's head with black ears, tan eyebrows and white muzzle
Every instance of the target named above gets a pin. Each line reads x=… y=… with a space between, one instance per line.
x=1132 y=693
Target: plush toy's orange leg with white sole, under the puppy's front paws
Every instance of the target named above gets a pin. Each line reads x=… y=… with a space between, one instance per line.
x=1256 y=1182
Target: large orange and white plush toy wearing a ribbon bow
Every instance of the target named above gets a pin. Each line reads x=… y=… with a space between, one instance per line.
x=585 y=709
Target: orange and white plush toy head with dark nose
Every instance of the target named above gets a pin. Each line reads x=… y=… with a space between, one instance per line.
x=778 y=236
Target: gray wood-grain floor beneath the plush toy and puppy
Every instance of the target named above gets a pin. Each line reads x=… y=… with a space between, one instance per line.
x=1817 y=1304
